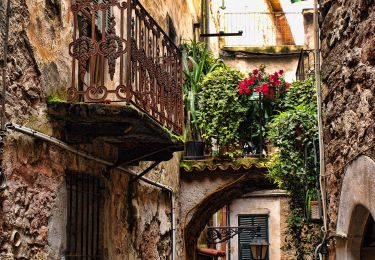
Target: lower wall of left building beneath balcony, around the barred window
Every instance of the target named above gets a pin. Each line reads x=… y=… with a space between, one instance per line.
x=136 y=217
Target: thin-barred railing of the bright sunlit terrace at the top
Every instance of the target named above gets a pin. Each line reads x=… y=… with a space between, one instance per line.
x=261 y=29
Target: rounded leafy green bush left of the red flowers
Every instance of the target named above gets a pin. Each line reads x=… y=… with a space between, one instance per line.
x=221 y=110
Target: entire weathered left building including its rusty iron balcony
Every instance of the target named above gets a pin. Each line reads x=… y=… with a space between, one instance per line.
x=69 y=186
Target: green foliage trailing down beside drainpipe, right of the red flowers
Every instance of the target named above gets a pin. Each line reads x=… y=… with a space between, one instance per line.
x=294 y=168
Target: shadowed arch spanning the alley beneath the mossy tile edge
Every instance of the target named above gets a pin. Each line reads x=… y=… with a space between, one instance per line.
x=212 y=192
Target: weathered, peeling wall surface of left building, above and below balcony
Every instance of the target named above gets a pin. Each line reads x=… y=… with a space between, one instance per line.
x=137 y=217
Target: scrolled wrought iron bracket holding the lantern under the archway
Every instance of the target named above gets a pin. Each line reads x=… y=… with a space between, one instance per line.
x=216 y=235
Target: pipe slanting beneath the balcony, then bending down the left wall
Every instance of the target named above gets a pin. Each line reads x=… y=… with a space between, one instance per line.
x=67 y=147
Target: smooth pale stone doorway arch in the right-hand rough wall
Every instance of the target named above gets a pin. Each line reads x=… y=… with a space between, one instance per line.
x=357 y=204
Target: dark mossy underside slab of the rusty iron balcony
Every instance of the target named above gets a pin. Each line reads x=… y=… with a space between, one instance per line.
x=132 y=134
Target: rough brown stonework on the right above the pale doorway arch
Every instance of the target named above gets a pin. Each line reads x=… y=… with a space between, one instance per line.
x=348 y=71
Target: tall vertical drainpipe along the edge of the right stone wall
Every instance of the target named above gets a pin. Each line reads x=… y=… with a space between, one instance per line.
x=322 y=180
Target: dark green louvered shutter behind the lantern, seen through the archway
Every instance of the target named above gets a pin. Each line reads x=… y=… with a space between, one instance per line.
x=244 y=238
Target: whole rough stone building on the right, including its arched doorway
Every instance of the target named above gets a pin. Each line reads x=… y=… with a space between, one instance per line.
x=348 y=74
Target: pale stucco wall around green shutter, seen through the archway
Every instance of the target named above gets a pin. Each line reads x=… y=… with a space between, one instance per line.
x=261 y=203
